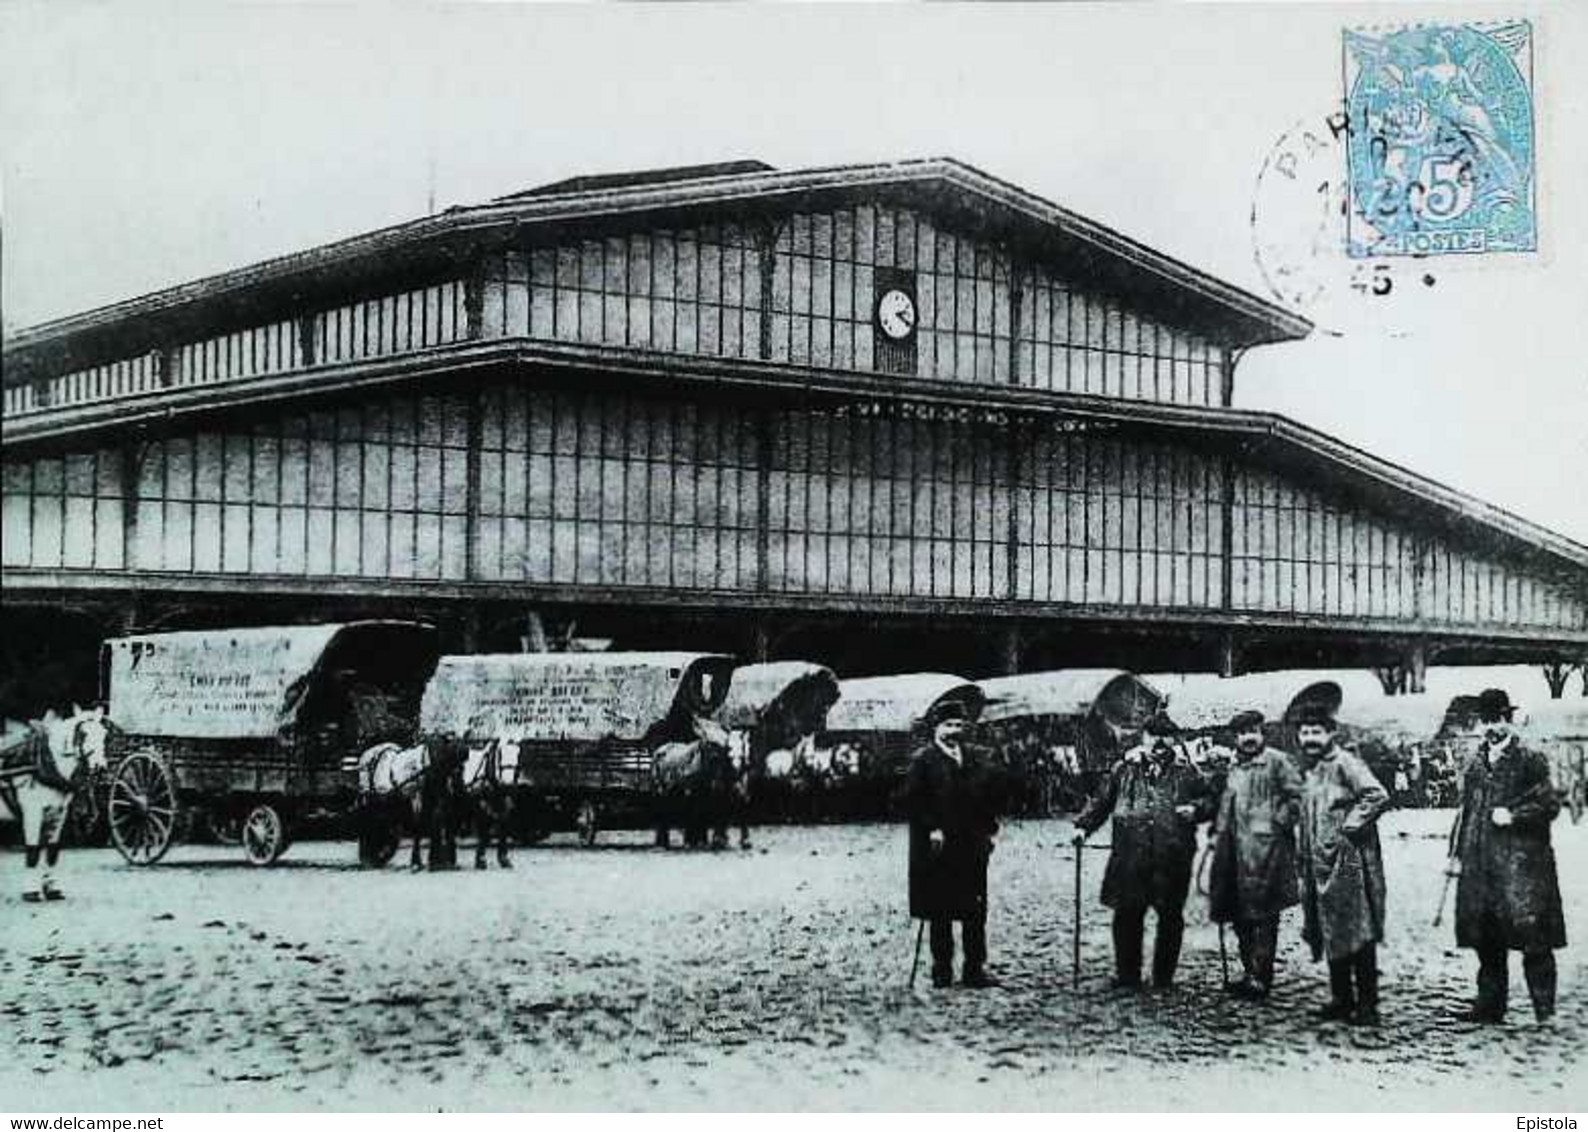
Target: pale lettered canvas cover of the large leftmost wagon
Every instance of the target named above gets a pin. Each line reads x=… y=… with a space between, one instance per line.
x=225 y=683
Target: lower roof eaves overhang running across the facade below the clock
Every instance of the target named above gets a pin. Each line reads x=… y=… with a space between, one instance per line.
x=1235 y=431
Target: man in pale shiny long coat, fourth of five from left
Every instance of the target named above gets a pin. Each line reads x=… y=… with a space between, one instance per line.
x=1343 y=868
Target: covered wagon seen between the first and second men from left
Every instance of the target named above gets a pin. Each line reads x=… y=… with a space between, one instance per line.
x=1060 y=733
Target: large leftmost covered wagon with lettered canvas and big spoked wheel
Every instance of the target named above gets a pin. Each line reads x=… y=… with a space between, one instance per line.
x=253 y=731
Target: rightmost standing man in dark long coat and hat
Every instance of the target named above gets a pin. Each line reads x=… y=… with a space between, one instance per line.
x=1508 y=895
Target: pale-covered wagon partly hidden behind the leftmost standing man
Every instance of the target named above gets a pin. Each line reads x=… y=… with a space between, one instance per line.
x=874 y=728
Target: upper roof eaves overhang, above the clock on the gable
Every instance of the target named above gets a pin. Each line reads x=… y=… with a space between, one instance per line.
x=437 y=241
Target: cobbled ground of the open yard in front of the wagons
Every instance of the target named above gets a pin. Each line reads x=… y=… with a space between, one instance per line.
x=625 y=977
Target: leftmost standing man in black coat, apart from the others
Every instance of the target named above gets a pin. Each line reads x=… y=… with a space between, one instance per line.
x=952 y=799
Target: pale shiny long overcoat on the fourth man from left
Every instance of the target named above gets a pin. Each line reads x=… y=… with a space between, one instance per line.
x=1343 y=868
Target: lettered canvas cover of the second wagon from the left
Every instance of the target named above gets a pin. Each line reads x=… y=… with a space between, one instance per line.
x=568 y=696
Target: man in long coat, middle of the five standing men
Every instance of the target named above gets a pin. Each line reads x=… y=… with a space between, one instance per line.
x=1254 y=871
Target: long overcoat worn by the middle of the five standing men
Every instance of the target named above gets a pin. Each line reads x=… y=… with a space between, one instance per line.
x=1254 y=871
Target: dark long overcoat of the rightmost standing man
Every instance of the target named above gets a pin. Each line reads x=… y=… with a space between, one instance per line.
x=1508 y=895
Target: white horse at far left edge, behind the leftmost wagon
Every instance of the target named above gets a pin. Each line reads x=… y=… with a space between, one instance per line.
x=42 y=768
